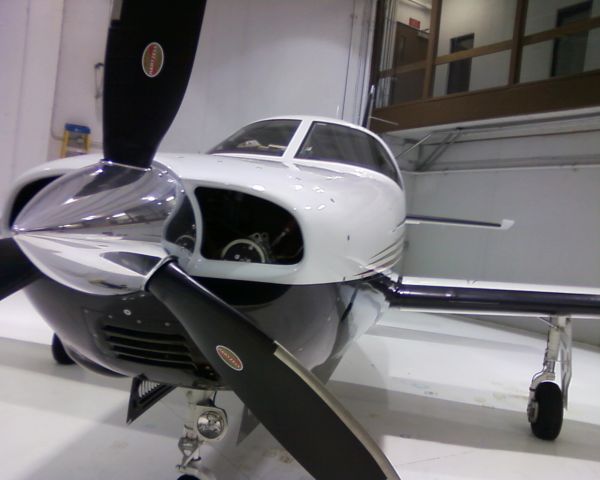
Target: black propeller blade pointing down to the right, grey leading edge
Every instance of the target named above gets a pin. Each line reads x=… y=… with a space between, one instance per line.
x=291 y=402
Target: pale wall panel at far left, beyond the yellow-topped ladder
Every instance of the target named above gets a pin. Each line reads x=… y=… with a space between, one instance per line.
x=30 y=37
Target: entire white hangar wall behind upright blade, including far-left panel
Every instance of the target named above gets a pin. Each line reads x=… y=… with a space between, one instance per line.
x=258 y=59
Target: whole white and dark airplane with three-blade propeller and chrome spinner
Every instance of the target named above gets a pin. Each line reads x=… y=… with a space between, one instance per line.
x=250 y=268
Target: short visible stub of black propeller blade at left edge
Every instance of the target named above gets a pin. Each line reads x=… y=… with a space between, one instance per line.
x=17 y=271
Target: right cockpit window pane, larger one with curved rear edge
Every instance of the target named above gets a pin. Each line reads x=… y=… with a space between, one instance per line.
x=338 y=143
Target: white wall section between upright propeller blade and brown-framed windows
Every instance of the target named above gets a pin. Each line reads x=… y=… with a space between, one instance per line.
x=272 y=57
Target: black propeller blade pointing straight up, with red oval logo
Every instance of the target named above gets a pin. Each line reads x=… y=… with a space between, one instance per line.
x=149 y=57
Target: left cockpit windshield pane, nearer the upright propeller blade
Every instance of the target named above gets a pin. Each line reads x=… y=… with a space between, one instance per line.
x=268 y=137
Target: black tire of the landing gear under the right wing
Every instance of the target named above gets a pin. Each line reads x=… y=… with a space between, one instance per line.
x=548 y=415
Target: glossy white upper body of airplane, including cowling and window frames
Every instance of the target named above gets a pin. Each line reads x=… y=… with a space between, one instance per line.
x=352 y=219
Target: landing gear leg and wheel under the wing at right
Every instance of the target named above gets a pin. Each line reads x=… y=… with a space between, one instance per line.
x=546 y=399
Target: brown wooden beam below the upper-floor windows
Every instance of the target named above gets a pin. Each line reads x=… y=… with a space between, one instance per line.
x=564 y=93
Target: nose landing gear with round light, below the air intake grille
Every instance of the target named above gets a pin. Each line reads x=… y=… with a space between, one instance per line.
x=205 y=423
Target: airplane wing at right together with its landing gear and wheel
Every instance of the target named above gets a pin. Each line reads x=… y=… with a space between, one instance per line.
x=557 y=304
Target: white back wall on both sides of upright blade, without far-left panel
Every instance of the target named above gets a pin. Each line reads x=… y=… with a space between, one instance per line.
x=255 y=59
